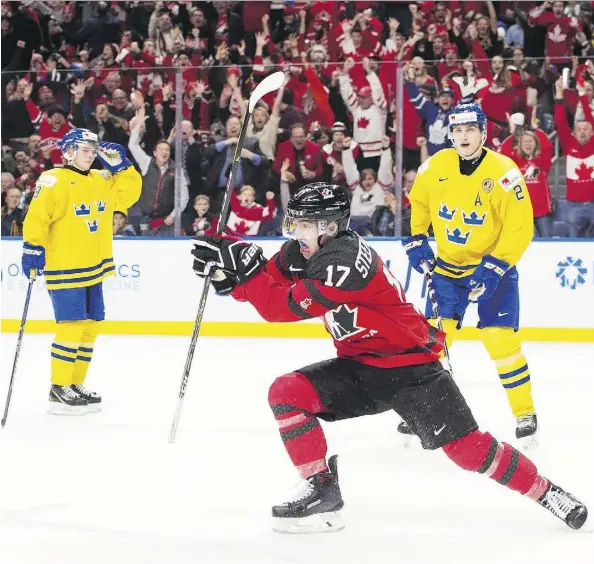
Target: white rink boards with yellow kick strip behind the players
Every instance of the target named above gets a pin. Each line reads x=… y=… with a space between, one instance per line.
x=156 y=292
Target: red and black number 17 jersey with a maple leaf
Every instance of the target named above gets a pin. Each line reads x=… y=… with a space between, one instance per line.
x=361 y=303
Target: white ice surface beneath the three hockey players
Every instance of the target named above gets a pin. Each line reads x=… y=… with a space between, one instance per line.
x=109 y=489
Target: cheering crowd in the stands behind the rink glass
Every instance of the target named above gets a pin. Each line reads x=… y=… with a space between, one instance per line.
x=115 y=67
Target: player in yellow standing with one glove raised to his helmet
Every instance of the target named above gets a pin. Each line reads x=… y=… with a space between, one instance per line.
x=67 y=236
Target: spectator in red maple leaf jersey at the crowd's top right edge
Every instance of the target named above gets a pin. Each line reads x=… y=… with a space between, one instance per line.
x=561 y=31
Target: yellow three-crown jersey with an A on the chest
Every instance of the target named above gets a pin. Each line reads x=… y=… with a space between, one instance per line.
x=487 y=212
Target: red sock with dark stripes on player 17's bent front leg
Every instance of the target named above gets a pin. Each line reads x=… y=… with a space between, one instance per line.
x=294 y=403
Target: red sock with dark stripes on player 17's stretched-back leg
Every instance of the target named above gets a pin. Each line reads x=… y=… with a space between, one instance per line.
x=480 y=452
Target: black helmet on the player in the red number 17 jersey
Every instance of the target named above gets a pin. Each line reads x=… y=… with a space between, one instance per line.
x=319 y=201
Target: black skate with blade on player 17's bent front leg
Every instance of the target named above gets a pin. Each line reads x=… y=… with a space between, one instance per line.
x=315 y=508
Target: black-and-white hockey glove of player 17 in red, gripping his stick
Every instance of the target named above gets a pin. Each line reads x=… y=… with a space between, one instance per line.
x=235 y=257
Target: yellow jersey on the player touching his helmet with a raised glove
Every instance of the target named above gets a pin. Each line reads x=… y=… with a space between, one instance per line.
x=71 y=216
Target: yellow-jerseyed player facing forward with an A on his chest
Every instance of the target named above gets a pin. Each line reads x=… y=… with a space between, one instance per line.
x=478 y=204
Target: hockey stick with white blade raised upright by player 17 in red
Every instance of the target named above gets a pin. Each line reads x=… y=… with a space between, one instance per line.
x=269 y=84
